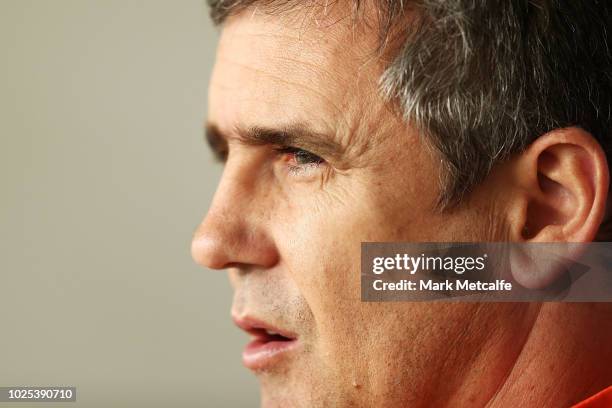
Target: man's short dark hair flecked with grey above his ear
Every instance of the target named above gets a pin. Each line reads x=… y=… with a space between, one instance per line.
x=484 y=78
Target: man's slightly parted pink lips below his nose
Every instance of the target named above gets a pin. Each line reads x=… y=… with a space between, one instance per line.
x=265 y=350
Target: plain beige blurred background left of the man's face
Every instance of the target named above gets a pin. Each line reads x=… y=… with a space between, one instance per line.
x=104 y=175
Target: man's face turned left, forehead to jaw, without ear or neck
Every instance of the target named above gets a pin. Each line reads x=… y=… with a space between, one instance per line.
x=317 y=164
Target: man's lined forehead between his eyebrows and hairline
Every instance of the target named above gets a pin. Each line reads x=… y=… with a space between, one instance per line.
x=296 y=68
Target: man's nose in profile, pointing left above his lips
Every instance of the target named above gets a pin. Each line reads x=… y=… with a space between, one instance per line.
x=235 y=231
